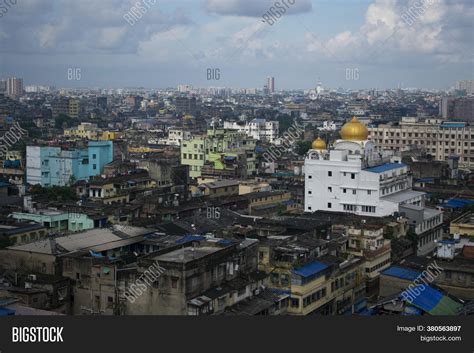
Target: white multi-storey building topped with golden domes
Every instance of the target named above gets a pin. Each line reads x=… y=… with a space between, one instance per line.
x=354 y=177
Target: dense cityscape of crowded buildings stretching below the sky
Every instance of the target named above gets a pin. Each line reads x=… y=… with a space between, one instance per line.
x=222 y=201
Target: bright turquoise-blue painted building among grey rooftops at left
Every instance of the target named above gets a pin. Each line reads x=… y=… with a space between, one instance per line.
x=53 y=166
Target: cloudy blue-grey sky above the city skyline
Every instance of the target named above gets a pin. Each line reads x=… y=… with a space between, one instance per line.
x=344 y=43
